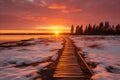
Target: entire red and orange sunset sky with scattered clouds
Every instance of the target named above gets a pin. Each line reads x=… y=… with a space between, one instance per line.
x=46 y=15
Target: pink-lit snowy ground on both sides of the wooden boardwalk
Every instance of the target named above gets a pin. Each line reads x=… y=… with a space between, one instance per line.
x=25 y=59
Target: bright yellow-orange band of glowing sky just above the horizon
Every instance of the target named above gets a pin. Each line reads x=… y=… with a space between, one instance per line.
x=38 y=29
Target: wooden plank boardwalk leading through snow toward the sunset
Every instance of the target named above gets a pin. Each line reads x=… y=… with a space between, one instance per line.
x=69 y=67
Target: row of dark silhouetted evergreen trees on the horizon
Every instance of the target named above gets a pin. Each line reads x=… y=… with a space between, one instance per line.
x=103 y=28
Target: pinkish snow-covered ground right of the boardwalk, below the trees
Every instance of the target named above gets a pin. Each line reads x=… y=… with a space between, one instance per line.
x=103 y=52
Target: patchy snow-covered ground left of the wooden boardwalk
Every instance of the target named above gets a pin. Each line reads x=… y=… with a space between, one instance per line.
x=23 y=60
